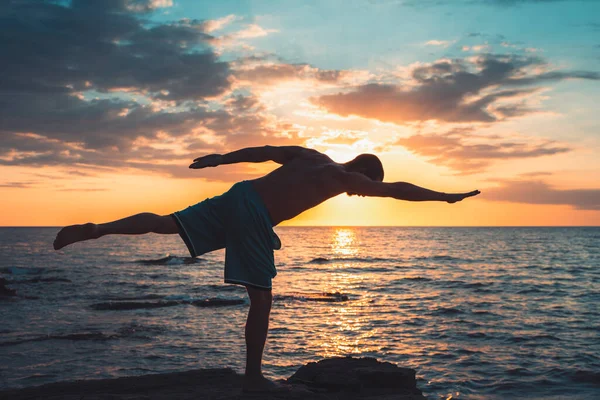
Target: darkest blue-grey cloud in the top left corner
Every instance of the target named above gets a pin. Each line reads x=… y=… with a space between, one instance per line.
x=50 y=48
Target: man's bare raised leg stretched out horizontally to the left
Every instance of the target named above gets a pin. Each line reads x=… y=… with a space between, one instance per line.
x=135 y=225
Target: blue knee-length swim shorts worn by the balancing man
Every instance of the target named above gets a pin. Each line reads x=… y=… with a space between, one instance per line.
x=239 y=222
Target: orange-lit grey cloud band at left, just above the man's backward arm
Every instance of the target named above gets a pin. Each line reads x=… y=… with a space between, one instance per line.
x=160 y=142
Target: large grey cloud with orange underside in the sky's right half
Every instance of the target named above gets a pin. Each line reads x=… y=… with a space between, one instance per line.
x=452 y=91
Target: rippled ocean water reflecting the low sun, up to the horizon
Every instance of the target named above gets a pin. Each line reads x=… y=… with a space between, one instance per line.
x=478 y=312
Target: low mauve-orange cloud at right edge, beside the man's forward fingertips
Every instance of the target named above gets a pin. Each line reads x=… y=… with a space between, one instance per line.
x=539 y=192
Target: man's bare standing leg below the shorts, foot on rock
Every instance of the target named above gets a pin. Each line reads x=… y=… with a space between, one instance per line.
x=257 y=327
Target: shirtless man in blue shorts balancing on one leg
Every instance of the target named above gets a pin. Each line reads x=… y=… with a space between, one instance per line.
x=242 y=220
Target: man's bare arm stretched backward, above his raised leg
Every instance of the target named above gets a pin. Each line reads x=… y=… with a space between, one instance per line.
x=280 y=155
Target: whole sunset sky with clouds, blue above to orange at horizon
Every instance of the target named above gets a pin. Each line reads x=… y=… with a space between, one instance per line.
x=104 y=104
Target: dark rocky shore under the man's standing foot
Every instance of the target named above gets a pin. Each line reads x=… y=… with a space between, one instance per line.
x=329 y=379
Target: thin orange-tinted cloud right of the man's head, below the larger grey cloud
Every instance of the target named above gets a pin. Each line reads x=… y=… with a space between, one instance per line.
x=467 y=154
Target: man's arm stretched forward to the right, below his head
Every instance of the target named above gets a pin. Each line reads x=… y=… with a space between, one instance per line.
x=361 y=185
